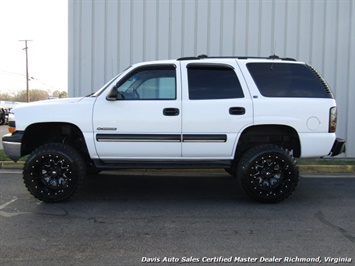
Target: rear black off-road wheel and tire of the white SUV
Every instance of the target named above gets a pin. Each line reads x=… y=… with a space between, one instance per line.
x=268 y=173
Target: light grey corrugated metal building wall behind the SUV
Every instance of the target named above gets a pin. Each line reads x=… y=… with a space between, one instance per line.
x=106 y=36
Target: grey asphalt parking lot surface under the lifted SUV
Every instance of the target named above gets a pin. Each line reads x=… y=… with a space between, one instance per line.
x=177 y=218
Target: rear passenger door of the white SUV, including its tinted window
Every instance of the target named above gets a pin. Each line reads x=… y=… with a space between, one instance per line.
x=215 y=108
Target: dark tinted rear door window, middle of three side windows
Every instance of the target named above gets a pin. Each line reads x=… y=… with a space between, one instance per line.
x=213 y=82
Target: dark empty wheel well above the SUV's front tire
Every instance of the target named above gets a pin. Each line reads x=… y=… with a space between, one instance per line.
x=38 y=134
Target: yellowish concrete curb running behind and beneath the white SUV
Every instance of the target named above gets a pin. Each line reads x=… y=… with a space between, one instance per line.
x=302 y=168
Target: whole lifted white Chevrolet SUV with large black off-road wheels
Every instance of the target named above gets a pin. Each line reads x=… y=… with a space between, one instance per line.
x=250 y=116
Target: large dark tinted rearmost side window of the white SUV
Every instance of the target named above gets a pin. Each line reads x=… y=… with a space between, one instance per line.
x=288 y=80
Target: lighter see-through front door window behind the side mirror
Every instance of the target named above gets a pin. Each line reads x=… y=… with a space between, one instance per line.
x=149 y=83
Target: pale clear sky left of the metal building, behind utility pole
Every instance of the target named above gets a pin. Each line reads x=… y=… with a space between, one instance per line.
x=45 y=23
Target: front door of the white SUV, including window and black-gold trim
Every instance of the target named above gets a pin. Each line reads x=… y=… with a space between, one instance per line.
x=141 y=117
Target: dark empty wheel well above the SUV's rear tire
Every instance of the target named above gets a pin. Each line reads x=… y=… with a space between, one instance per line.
x=280 y=135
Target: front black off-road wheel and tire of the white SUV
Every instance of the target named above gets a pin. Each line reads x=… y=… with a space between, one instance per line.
x=54 y=172
